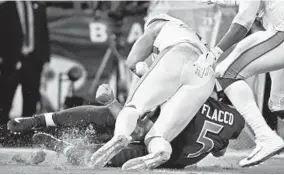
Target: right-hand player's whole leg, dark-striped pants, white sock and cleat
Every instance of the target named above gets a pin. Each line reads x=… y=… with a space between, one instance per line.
x=258 y=53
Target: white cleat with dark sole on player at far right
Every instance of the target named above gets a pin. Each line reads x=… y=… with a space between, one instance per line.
x=263 y=151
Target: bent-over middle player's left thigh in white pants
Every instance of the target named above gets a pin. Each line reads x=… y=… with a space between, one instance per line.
x=162 y=81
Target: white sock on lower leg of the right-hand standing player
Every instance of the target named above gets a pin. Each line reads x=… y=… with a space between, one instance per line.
x=242 y=98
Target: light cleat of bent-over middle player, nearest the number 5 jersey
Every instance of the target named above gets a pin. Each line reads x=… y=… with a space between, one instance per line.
x=150 y=161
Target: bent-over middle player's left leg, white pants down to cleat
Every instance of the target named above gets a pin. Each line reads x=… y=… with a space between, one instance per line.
x=154 y=88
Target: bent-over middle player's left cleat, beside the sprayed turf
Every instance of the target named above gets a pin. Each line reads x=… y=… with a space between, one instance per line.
x=102 y=156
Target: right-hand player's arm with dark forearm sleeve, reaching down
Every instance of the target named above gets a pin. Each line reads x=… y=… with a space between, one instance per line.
x=240 y=25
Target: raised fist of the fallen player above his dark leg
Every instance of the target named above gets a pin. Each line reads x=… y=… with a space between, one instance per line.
x=104 y=94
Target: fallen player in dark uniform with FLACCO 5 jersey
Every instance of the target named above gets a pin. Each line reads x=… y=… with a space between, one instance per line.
x=209 y=132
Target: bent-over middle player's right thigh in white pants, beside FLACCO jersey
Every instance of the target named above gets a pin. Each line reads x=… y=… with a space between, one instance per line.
x=177 y=113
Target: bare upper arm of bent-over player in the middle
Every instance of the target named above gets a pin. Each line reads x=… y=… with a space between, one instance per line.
x=143 y=47
